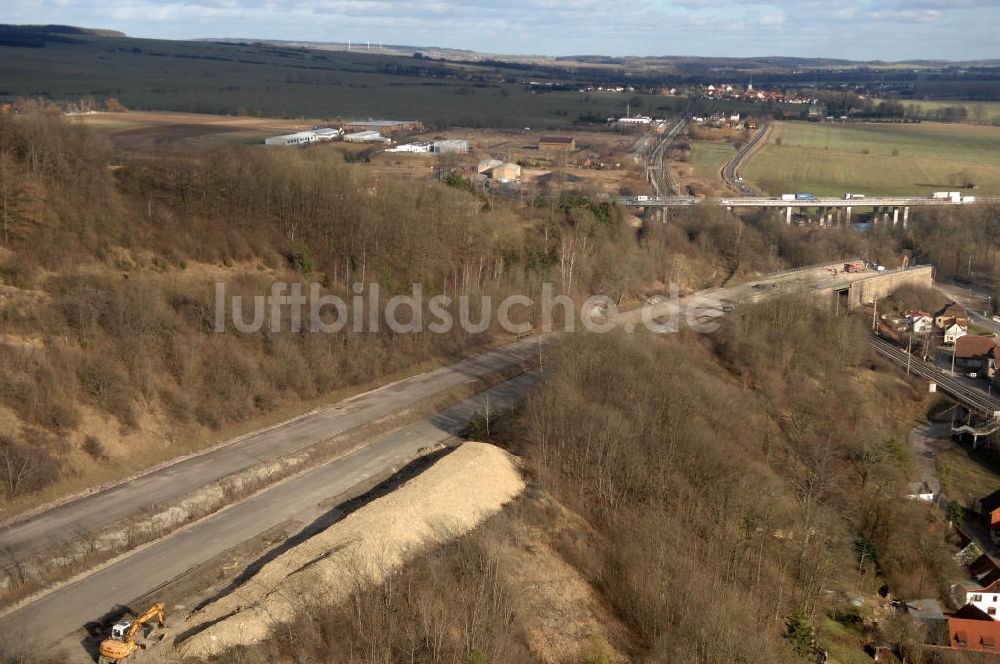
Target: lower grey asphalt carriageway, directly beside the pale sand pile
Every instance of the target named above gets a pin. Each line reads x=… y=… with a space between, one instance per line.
x=55 y=615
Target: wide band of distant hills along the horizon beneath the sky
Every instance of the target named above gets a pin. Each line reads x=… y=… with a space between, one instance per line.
x=442 y=87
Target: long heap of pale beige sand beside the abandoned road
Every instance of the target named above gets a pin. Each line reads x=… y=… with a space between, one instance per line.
x=449 y=499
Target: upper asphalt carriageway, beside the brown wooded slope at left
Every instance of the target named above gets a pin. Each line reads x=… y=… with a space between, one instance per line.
x=133 y=497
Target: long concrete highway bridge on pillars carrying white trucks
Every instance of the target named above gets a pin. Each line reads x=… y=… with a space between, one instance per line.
x=831 y=210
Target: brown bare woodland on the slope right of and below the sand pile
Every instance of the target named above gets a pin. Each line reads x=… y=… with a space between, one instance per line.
x=740 y=487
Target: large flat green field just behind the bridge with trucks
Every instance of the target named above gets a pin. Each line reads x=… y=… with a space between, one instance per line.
x=884 y=159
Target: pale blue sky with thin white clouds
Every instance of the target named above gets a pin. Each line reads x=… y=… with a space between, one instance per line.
x=854 y=29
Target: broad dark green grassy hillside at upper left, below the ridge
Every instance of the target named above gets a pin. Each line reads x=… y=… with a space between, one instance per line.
x=275 y=81
